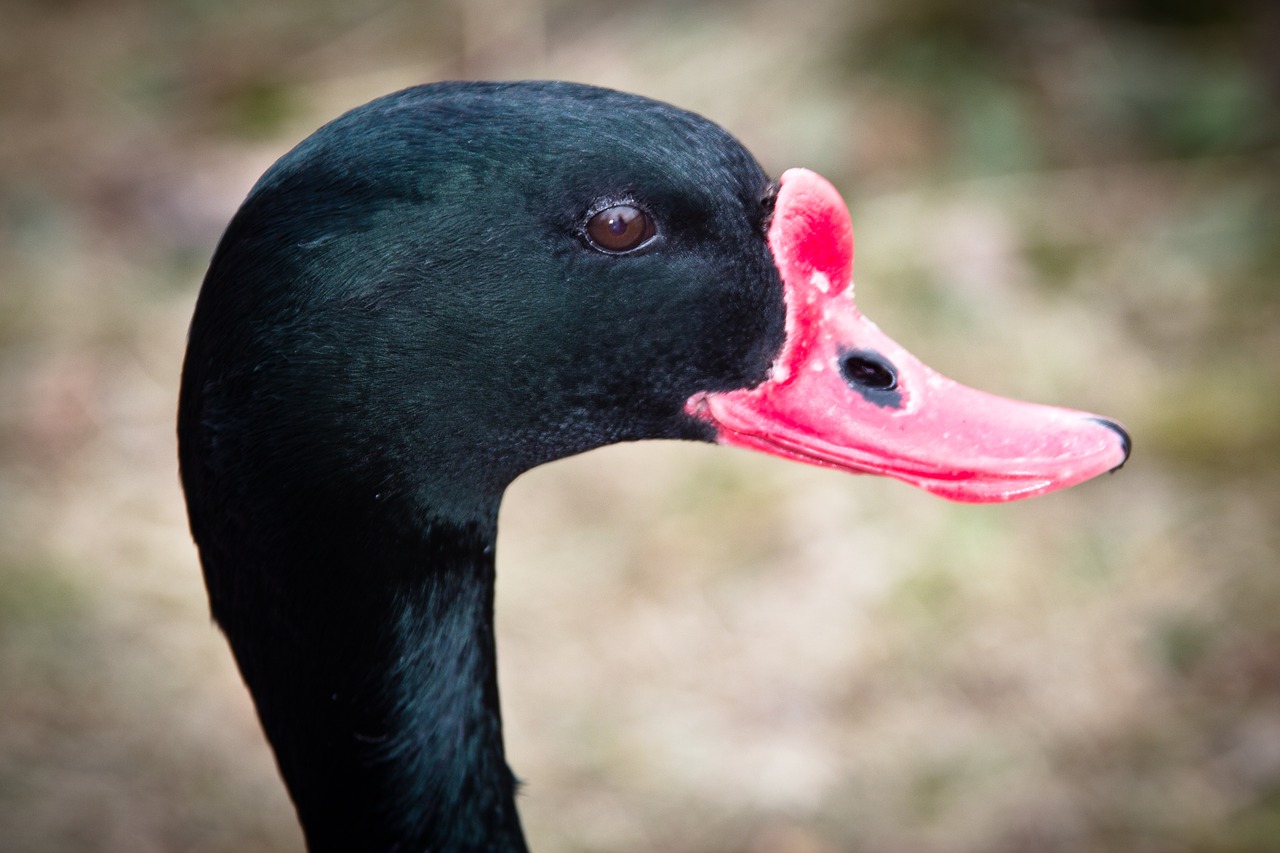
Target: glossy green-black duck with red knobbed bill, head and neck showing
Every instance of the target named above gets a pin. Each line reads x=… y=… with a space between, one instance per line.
x=452 y=285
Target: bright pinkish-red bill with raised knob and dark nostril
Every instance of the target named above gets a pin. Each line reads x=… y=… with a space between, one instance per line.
x=843 y=395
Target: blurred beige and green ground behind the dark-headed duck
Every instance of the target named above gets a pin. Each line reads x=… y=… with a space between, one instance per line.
x=702 y=651
